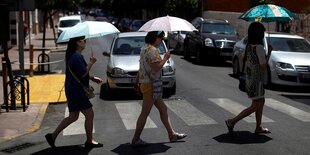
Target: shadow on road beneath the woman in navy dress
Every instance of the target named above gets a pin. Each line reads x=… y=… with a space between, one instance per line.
x=64 y=150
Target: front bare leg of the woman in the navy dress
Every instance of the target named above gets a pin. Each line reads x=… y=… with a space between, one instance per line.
x=89 y=117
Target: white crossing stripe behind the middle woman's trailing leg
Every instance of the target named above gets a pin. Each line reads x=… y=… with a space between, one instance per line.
x=129 y=113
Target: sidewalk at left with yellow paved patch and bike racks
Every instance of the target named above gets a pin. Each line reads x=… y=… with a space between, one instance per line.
x=44 y=89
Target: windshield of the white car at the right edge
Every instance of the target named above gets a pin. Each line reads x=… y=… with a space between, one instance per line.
x=289 y=44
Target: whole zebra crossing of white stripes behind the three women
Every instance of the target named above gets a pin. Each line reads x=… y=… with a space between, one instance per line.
x=191 y=116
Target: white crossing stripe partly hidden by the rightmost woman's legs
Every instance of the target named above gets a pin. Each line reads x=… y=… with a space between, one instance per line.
x=235 y=108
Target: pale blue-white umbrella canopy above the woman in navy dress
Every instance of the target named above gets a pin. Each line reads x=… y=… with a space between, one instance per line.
x=89 y=29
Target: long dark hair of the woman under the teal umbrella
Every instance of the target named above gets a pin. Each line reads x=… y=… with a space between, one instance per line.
x=256 y=33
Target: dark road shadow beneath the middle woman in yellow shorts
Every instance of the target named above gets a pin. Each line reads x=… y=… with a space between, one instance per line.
x=153 y=148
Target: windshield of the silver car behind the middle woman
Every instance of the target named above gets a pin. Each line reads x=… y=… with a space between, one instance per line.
x=132 y=46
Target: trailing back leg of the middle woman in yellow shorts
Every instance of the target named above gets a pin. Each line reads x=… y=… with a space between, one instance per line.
x=146 y=108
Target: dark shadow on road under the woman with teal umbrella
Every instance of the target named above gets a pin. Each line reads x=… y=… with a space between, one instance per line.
x=242 y=137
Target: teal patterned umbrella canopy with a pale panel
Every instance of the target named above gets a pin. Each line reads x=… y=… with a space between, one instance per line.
x=268 y=13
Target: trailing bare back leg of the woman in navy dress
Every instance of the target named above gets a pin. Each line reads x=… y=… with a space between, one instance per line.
x=73 y=116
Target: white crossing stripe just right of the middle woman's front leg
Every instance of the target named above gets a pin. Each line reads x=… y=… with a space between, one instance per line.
x=188 y=113
